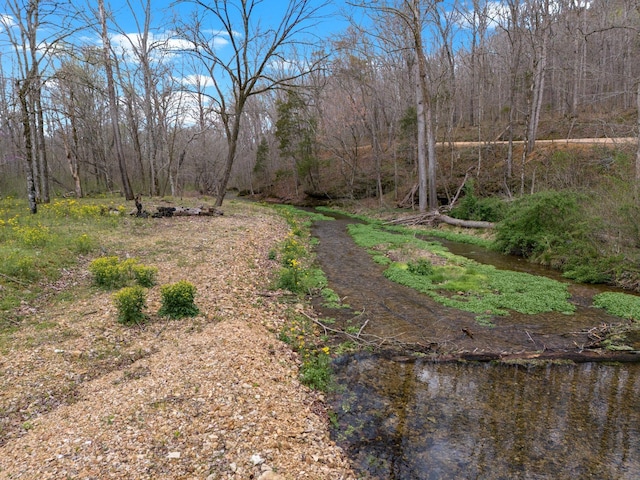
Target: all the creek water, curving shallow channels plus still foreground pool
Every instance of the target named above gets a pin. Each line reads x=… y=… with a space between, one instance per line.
x=404 y=418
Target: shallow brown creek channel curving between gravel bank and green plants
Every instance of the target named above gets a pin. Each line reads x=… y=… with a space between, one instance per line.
x=399 y=317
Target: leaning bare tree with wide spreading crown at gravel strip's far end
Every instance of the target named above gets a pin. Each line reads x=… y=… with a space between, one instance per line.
x=246 y=70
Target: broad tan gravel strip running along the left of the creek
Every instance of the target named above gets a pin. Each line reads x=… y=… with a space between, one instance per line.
x=214 y=397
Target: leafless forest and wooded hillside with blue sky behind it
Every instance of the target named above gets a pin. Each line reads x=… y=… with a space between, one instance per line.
x=420 y=104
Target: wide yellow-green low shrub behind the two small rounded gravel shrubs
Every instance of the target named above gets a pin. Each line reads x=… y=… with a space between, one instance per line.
x=109 y=272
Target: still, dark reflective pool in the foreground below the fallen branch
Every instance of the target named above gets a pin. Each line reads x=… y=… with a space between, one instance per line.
x=419 y=420
